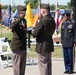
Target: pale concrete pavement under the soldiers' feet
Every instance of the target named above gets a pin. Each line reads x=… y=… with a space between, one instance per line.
x=57 y=68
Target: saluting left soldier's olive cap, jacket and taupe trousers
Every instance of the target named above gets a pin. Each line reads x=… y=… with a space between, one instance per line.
x=18 y=42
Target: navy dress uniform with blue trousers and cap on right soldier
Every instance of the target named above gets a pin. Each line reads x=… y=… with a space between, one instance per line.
x=68 y=38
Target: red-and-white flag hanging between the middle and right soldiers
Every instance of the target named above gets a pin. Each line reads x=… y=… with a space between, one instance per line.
x=58 y=17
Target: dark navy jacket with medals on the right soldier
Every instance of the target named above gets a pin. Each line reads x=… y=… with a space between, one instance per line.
x=68 y=33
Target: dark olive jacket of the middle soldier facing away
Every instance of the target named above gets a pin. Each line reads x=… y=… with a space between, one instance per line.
x=43 y=33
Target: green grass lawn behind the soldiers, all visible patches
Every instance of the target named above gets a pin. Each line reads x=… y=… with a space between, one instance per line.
x=8 y=34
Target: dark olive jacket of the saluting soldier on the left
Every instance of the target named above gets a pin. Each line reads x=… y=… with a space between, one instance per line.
x=18 y=41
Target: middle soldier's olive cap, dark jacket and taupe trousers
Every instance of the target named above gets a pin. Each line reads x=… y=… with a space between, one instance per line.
x=43 y=32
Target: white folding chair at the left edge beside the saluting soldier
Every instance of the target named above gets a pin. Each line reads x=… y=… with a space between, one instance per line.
x=7 y=52
